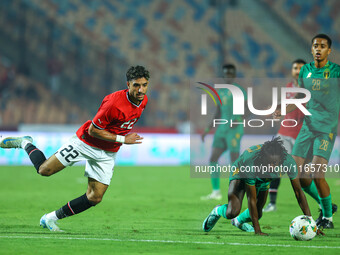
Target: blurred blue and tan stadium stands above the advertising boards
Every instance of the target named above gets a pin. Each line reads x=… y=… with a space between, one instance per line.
x=59 y=58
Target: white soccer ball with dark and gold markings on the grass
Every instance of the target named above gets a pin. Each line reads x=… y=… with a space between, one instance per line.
x=303 y=228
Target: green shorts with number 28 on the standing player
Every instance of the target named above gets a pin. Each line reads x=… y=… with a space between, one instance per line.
x=313 y=143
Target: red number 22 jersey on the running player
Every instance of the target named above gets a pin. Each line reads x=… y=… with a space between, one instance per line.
x=117 y=115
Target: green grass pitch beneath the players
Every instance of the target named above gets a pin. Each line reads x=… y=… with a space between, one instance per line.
x=146 y=210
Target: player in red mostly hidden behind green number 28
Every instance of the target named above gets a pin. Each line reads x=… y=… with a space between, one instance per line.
x=287 y=134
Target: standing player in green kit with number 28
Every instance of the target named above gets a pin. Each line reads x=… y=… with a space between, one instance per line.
x=318 y=132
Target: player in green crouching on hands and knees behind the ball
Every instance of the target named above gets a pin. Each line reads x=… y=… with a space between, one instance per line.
x=252 y=175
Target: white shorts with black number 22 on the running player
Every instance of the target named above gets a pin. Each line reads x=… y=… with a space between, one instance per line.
x=99 y=163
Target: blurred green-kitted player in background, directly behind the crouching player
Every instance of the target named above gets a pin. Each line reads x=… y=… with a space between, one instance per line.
x=226 y=137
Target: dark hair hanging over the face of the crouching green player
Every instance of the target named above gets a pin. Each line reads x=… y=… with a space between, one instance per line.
x=271 y=148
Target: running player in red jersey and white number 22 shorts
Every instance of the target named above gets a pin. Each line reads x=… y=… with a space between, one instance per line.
x=96 y=141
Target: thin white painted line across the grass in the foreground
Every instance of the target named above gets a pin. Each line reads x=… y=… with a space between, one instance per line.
x=168 y=241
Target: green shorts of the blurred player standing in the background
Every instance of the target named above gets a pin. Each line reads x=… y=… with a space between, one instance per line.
x=230 y=140
